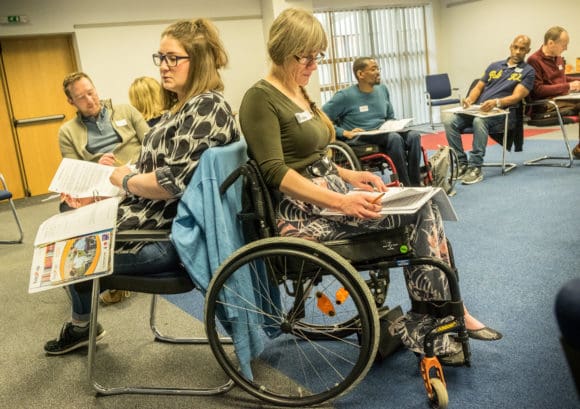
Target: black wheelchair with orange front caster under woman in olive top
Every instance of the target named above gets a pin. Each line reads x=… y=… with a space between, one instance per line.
x=312 y=319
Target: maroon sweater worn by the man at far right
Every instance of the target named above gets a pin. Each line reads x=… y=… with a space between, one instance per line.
x=551 y=80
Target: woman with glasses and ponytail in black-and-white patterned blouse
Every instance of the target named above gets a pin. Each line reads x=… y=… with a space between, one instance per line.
x=189 y=58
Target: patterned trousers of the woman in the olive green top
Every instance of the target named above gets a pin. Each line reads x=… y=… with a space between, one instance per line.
x=300 y=219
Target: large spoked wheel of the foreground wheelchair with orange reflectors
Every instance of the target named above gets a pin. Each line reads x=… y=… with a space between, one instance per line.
x=293 y=288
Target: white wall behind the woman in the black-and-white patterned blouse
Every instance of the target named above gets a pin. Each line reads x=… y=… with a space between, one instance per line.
x=115 y=39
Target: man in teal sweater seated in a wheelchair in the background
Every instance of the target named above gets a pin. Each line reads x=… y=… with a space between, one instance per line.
x=366 y=106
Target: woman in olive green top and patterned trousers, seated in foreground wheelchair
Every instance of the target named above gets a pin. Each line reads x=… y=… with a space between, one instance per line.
x=288 y=136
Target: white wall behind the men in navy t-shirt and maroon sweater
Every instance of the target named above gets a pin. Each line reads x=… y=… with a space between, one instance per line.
x=472 y=35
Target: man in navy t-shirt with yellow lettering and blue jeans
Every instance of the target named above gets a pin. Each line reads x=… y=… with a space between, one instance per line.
x=503 y=84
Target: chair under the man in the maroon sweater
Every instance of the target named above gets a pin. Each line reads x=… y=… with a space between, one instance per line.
x=561 y=119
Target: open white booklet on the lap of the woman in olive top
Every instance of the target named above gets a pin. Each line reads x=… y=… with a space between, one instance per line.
x=408 y=200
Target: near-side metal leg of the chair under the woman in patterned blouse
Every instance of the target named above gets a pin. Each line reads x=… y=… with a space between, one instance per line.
x=103 y=390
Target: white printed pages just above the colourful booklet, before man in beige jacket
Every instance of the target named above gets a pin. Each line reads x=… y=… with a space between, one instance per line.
x=81 y=178
